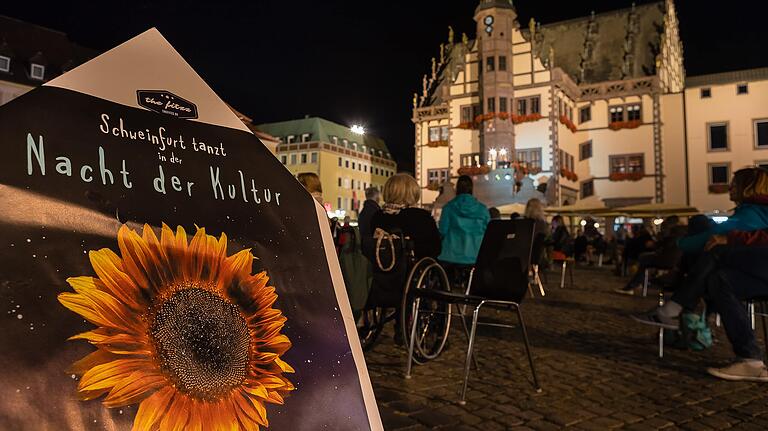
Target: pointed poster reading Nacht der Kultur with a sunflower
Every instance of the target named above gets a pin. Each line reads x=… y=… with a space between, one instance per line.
x=159 y=267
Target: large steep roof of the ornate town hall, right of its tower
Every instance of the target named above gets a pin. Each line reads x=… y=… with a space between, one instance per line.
x=603 y=38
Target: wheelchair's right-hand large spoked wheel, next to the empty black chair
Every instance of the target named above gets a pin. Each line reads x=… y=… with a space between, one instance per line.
x=434 y=318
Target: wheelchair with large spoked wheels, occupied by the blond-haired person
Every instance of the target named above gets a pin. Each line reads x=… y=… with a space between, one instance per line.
x=397 y=275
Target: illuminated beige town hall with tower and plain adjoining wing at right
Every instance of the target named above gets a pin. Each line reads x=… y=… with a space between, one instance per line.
x=592 y=108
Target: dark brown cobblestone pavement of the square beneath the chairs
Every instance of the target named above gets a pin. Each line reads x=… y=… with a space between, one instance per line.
x=599 y=370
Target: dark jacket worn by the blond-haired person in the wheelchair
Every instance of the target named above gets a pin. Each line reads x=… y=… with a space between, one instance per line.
x=415 y=223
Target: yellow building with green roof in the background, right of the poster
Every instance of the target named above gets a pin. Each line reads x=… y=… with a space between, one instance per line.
x=346 y=162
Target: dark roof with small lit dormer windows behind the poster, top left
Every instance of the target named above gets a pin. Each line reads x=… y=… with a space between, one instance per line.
x=25 y=43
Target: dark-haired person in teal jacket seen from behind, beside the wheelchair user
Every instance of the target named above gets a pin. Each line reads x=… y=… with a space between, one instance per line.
x=462 y=225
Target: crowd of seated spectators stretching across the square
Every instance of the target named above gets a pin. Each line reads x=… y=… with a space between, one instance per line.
x=703 y=264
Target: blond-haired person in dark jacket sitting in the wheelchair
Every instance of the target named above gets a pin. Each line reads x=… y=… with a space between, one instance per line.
x=400 y=215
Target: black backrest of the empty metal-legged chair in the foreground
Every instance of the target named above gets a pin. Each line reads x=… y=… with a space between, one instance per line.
x=501 y=270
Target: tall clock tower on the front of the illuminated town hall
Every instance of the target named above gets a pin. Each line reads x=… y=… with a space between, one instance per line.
x=496 y=20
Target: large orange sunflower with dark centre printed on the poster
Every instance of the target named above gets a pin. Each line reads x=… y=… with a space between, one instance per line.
x=183 y=330
